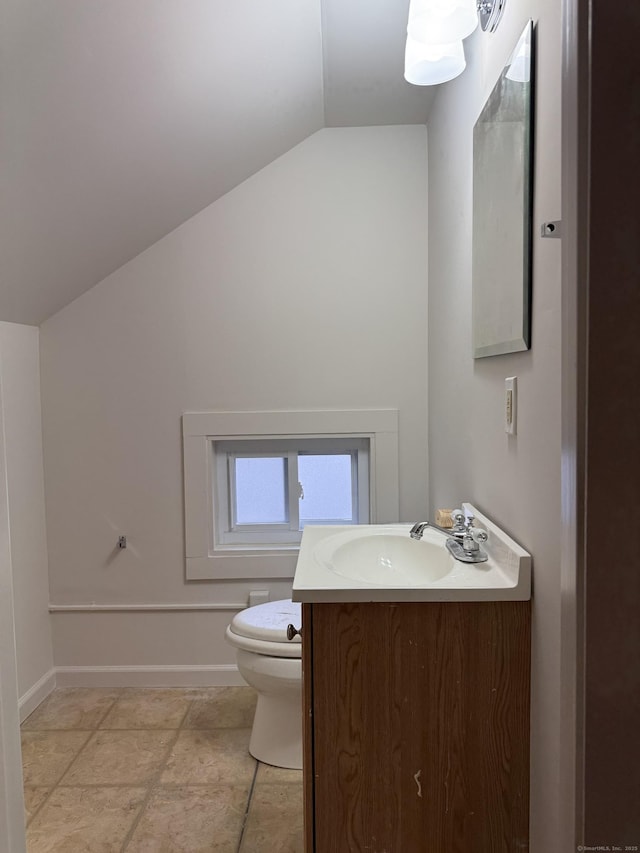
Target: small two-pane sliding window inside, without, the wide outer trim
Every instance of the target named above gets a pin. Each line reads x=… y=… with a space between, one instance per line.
x=267 y=490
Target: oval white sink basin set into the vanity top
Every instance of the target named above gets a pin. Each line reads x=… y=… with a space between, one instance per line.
x=385 y=557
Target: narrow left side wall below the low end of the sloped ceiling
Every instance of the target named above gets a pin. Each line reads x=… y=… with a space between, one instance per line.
x=19 y=365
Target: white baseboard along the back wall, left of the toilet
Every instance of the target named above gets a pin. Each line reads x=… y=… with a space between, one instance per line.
x=220 y=675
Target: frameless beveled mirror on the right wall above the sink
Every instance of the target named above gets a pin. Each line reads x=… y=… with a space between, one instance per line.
x=502 y=209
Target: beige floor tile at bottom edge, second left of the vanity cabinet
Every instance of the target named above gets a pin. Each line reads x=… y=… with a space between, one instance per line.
x=191 y=820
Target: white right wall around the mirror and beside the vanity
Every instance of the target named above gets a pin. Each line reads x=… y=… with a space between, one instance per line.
x=514 y=480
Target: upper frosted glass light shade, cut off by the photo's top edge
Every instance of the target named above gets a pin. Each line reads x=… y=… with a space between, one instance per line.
x=441 y=21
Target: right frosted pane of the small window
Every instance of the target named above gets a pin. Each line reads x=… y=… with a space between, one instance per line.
x=327 y=487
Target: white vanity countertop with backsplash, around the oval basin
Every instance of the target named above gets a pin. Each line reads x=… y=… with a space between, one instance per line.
x=505 y=576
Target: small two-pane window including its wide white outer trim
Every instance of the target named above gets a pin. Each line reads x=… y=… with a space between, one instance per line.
x=253 y=480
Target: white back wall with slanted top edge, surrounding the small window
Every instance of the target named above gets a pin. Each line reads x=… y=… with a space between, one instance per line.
x=303 y=288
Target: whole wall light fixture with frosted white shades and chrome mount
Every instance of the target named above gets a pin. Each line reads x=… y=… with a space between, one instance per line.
x=435 y=30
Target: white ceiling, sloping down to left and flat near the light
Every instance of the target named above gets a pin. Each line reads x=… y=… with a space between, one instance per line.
x=120 y=119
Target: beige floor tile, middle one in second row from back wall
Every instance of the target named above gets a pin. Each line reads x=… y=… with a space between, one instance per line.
x=120 y=758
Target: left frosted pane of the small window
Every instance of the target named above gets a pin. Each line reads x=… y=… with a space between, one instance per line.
x=261 y=495
